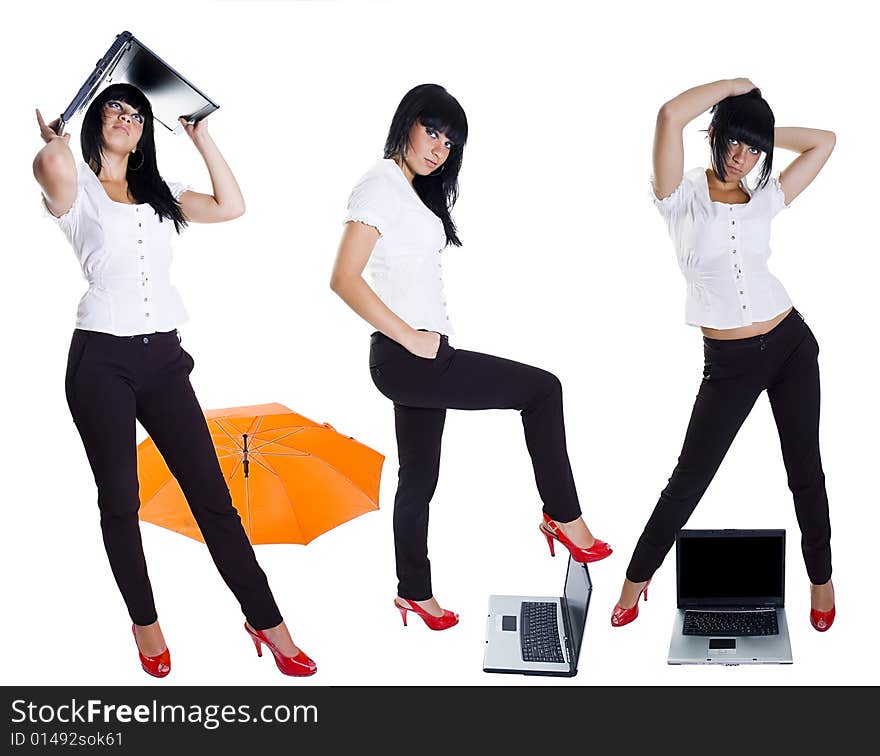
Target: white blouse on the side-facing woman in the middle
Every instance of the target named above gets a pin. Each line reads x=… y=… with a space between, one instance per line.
x=405 y=263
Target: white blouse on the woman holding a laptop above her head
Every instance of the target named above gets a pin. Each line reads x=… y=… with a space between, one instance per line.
x=125 y=254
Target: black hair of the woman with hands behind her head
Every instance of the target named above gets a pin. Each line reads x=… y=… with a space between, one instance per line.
x=748 y=119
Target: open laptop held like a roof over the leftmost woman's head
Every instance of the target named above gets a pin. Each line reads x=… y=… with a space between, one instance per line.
x=129 y=61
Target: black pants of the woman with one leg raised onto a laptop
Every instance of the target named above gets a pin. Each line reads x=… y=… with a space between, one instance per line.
x=422 y=390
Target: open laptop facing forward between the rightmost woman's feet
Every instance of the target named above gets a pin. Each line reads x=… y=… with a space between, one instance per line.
x=731 y=598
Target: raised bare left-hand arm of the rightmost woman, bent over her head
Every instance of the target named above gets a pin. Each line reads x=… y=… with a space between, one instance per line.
x=671 y=120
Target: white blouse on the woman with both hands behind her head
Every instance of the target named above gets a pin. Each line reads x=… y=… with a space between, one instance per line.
x=722 y=251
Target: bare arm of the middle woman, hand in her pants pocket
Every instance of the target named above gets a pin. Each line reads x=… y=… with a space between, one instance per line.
x=347 y=281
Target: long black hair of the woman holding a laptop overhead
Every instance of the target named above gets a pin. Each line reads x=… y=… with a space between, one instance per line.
x=144 y=182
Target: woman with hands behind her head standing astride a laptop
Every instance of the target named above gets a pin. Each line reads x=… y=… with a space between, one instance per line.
x=754 y=340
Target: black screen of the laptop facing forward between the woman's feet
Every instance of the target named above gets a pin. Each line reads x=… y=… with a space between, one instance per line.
x=718 y=568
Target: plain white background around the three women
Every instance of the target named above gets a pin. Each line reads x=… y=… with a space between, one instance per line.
x=566 y=265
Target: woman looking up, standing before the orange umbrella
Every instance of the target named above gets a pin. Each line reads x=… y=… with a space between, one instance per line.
x=126 y=362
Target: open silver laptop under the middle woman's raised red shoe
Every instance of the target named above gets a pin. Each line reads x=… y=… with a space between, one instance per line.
x=538 y=635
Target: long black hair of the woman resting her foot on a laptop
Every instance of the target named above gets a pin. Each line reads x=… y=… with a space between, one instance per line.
x=434 y=107
